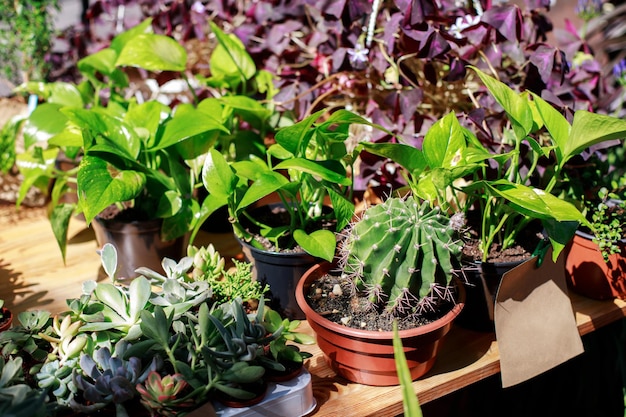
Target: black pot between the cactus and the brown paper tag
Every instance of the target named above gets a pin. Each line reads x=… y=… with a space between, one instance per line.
x=482 y=281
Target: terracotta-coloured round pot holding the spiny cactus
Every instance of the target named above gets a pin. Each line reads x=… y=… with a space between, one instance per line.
x=366 y=357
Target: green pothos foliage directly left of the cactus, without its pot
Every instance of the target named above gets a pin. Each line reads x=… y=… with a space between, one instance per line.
x=309 y=166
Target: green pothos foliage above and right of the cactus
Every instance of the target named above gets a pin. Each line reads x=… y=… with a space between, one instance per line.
x=454 y=169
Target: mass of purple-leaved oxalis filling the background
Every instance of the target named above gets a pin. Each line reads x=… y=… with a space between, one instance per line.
x=400 y=63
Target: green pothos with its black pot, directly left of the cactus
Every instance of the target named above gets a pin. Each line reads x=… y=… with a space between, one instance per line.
x=307 y=169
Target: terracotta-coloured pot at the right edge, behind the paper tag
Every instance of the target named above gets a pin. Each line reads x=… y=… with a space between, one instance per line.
x=588 y=274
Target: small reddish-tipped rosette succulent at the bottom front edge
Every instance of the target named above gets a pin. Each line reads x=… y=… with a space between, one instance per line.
x=164 y=396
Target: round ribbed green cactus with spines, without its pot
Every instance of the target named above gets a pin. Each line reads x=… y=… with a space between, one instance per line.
x=402 y=254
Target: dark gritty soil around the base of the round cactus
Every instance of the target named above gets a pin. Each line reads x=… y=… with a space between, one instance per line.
x=332 y=297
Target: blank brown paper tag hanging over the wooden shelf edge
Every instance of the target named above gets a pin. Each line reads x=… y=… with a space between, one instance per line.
x=535 y=325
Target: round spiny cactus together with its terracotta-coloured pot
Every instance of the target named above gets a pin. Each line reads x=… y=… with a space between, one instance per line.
x=396 y=263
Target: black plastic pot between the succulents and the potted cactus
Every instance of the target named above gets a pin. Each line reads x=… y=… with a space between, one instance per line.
x=281 y=271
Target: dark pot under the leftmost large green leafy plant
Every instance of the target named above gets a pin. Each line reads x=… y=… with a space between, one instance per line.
x=138 y=244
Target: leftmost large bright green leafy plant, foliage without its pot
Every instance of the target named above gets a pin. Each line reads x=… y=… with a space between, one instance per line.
x=133 y=154
